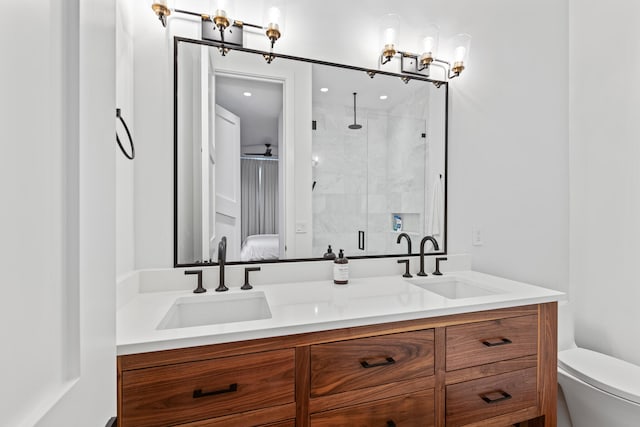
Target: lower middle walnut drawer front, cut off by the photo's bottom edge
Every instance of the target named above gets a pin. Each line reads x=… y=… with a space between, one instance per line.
x=416 y=410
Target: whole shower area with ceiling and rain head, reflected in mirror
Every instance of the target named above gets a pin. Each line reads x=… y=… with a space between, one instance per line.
x=378 y=161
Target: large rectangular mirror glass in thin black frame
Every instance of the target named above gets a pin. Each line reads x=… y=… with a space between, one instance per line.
x=287 y=158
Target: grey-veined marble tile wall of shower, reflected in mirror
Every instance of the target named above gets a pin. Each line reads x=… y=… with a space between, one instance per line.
x=364 y=176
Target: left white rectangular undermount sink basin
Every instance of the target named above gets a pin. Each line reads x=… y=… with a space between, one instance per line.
x=216 y=309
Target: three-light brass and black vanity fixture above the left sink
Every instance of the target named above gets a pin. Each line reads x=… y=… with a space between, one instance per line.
x=219 y=24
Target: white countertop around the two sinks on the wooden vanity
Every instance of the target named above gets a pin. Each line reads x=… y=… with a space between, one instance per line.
x=316 y=306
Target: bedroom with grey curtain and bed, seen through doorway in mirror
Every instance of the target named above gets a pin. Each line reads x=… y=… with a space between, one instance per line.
x=257 y=104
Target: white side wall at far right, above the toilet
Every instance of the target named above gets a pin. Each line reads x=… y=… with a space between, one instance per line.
x=605 y=175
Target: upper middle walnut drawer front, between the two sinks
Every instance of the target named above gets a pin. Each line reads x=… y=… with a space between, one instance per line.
x=366 y=362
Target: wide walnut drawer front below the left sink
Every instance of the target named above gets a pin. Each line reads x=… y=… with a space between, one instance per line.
x=175 y=394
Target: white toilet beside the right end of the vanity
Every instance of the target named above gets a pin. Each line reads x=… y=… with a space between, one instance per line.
x=599 y=390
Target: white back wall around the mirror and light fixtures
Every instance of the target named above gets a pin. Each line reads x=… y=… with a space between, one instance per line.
x=508 y=123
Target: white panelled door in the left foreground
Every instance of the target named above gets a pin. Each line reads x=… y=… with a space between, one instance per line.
x=57 y=178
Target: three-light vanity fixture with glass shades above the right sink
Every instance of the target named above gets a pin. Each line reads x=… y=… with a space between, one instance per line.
x=420 y=63
